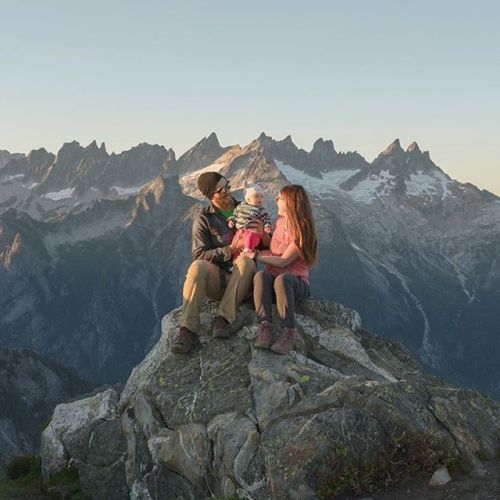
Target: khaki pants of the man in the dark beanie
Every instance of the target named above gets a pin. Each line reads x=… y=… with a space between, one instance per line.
x=203 y=280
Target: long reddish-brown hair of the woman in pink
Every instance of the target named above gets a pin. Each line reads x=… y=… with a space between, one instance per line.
x=300 y=222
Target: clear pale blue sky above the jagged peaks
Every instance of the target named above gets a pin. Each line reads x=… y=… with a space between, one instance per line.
x=359 y=72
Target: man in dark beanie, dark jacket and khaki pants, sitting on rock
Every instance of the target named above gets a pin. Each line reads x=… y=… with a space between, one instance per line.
x=212 y=274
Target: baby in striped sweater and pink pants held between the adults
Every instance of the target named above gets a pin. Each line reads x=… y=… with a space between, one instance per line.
x=245 y=215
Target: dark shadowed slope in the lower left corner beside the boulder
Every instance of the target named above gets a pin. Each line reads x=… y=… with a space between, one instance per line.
x=30 y=388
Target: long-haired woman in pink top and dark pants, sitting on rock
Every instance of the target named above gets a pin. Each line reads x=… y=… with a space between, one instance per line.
x=293 y=252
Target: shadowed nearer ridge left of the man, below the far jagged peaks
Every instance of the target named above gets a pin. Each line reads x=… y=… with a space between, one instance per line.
x=89 y=290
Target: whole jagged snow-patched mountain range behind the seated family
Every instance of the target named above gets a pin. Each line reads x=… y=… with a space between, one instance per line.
x=94 y=247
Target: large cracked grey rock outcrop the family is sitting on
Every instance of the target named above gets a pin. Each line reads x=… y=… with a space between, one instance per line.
x=227 y=420
